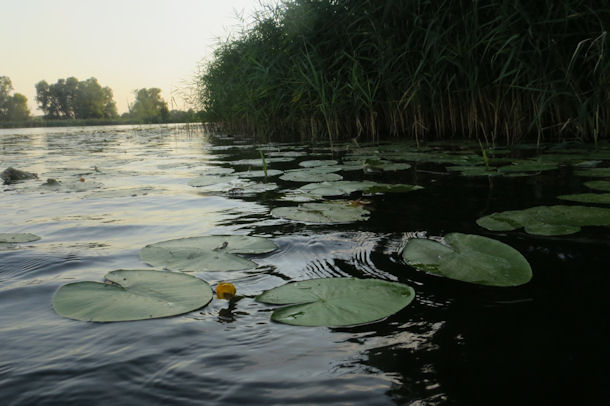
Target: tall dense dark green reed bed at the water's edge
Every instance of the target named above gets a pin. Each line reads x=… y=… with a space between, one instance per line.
x=498 y=71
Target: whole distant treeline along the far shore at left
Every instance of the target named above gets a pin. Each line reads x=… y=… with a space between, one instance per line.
x=72 y=102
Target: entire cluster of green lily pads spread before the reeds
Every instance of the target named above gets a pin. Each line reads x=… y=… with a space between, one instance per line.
x=143 y=294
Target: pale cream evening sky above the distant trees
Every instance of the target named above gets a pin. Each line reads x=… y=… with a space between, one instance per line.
x=125 y=44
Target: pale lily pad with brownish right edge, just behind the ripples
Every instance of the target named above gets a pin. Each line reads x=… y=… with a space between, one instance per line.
x=327 y=212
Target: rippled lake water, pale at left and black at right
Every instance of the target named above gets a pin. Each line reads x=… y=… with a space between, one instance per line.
x=544 y=343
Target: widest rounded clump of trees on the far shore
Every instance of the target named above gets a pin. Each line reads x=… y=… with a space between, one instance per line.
x=71 y=98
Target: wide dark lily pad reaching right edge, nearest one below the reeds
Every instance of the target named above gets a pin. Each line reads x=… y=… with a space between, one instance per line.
x=547 y=220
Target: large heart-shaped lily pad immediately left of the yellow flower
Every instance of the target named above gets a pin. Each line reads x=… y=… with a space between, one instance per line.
x=132 y=295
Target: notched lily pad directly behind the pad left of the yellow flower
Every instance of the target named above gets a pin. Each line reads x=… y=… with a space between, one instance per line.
x=207 y=253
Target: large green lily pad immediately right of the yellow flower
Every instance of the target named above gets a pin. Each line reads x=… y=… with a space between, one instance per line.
x=336 y=302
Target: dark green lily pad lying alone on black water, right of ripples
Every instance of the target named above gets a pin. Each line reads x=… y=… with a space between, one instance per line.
x=469 y=258
